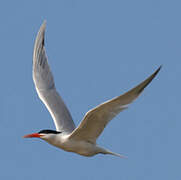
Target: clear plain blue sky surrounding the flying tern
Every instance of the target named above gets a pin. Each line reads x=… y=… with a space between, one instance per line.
x=97 y=50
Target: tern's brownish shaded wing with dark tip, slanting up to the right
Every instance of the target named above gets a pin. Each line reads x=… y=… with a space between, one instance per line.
x=96 y=119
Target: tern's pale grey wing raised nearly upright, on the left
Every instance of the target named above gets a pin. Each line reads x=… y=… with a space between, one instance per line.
x=45 y=86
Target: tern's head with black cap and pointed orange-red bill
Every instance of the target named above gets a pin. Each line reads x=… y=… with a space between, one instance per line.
x=43 y=134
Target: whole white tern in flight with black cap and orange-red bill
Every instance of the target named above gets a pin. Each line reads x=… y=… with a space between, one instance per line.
x=81 y=139
